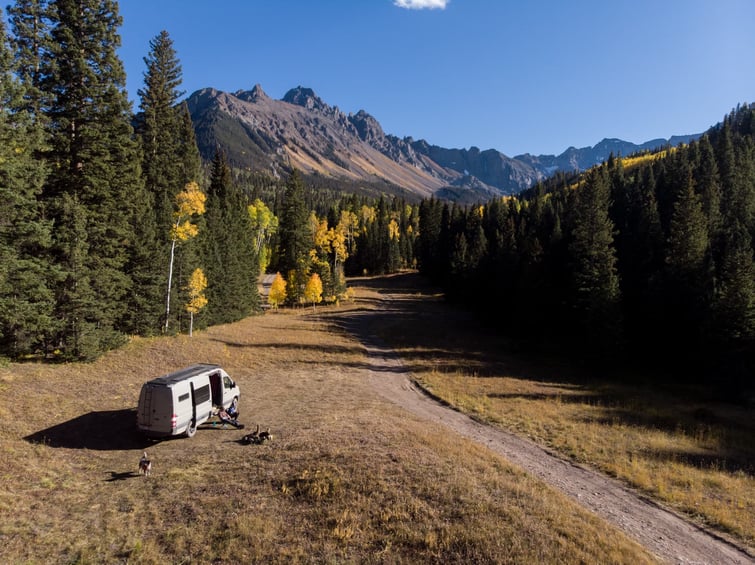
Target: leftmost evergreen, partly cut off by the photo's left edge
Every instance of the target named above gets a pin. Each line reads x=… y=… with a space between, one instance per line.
x=26 y=274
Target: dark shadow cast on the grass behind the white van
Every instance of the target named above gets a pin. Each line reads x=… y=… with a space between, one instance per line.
x=108 y=430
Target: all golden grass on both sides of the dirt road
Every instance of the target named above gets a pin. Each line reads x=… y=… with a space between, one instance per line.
x=348 y=477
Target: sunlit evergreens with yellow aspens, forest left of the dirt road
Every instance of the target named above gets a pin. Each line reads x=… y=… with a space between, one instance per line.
x=110 y=223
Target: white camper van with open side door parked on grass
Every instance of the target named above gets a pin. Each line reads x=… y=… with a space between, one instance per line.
x=177 y=403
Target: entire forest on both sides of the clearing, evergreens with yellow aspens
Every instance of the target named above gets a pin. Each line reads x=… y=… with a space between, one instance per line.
x=111 y=225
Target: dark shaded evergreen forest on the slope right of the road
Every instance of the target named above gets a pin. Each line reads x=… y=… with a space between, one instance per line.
x=646 y=259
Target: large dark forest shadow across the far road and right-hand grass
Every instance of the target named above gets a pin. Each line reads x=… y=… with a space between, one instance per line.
x=428 y=334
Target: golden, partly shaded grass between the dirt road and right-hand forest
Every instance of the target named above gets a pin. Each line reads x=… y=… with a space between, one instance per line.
x=675 y=444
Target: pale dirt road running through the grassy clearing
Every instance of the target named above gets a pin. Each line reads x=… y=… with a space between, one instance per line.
x=666 y=534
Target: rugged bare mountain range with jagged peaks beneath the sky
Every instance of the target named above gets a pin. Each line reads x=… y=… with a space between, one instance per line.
x=259 y=133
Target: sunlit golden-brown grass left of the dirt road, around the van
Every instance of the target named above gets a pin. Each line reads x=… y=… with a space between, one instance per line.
x=348 y=477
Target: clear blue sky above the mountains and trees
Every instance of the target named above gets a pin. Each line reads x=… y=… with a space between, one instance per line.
x=519 y=76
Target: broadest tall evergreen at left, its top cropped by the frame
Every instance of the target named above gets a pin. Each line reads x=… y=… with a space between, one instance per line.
x=95 y=182
